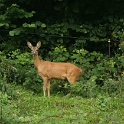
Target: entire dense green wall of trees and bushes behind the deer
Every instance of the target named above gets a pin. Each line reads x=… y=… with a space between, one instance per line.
x=84 y=32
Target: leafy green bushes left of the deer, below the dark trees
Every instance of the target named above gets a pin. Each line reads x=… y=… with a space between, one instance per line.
x=18 y=69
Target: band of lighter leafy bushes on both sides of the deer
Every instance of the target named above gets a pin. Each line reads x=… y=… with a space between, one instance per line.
x=98 y=70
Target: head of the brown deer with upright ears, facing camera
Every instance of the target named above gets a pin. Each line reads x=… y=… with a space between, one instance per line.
x=34 y=50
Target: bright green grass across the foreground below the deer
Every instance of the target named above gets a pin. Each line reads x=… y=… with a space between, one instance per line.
x=29 y=108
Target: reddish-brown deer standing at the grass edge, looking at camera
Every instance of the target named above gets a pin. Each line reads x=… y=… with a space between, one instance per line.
x=58 y=70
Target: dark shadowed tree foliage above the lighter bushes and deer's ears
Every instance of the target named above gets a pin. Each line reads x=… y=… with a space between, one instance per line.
x=76 y=30
